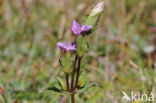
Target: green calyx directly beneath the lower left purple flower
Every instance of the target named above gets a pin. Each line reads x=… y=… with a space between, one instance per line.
x=66 y=63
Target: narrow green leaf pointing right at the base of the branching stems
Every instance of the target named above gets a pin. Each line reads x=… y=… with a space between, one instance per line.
x=87 y=86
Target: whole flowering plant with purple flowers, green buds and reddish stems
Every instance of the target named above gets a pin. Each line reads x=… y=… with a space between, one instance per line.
x=78 y=81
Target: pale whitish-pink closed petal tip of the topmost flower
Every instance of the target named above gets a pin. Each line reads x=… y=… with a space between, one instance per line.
x=97 y=9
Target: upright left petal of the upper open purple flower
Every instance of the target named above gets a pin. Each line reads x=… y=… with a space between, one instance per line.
x=76 y=28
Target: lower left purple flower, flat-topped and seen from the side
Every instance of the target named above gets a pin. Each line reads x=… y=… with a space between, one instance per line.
x=67 y=46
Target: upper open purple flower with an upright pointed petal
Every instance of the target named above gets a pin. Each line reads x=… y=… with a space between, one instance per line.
x=78 y=29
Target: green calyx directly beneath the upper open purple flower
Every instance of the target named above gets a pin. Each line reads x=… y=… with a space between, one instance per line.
x=82 y=46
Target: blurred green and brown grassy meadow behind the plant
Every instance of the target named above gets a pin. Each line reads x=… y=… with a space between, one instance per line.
x=122 y=54
